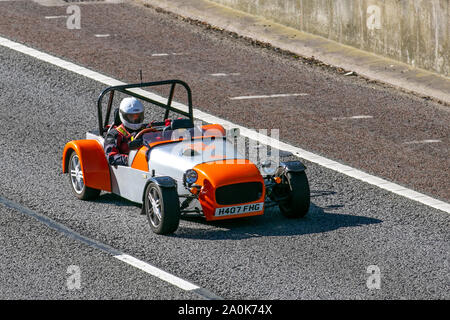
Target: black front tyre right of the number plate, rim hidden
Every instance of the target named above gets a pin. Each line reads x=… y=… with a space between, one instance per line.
x=297 y=188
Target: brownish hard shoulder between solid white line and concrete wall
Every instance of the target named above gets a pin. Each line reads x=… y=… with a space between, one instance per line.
x=389 y=141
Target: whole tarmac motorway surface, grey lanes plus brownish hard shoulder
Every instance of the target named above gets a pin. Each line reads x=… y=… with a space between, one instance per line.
x=351 y=225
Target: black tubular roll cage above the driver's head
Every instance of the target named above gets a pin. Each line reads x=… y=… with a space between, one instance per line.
x=126 y=89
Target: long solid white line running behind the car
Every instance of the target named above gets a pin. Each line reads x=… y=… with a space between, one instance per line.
x=245 y=132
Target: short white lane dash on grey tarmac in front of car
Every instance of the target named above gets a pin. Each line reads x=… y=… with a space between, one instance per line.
x=161 y=274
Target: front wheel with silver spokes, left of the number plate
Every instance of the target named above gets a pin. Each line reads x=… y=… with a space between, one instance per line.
x=162 y=207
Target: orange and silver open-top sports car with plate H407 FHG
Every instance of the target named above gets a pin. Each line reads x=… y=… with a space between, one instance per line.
x=182 y=168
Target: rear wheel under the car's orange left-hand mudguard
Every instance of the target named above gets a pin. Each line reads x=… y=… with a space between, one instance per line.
x=76 y=179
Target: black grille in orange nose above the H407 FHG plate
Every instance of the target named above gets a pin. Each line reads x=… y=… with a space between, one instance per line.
x=239 y=193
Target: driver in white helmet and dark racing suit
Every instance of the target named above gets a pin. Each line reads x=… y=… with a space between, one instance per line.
x=120 y=140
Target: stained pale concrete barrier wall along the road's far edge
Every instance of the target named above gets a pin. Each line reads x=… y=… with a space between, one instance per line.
x=413 y=31
